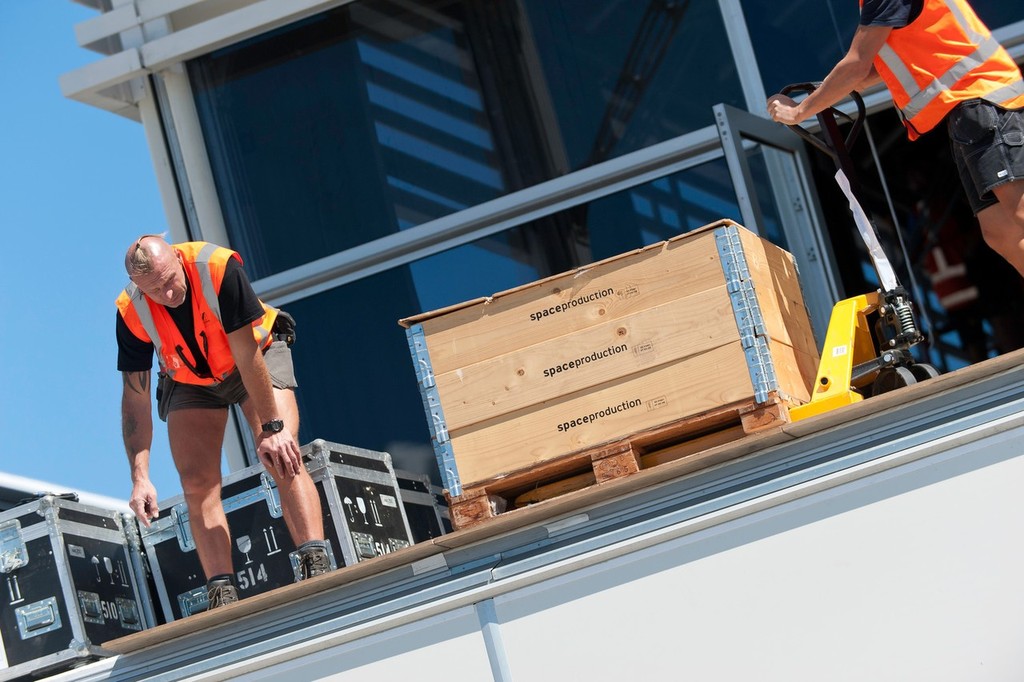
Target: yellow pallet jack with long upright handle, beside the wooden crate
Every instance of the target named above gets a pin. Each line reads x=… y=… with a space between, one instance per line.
x=867 y=350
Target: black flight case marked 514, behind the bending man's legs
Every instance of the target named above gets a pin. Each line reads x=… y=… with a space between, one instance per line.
x=363 y=519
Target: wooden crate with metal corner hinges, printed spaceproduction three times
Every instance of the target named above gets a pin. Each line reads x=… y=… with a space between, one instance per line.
x=517 y=381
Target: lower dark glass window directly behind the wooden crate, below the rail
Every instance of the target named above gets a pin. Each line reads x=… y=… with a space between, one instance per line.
x=358 y=385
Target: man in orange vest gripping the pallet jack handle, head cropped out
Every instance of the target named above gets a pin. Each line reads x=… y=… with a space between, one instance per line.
x=942 y=63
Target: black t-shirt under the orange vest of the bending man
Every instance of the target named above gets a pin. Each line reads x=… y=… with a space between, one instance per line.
x=239 y=307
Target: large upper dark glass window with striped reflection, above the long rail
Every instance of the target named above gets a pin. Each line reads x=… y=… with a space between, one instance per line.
x=380 y=115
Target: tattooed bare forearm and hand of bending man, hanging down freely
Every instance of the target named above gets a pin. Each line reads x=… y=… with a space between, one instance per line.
x=137 y=431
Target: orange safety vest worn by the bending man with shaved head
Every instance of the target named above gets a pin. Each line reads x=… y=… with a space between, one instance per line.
x=204 y=265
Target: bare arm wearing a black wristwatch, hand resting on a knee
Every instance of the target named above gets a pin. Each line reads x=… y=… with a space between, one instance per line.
x=279 y=451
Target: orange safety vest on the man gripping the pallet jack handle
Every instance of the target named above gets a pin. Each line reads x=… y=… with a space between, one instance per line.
x=945 y=57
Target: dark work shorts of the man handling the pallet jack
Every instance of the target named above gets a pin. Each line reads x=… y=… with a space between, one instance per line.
x=988 y=143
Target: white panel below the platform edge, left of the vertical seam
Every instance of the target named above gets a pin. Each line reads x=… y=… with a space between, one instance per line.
x=448 y=647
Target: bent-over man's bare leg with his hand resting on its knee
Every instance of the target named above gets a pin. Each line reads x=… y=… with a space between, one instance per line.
x=298 y=495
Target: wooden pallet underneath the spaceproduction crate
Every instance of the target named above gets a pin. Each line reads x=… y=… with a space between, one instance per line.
x=615 y=460
